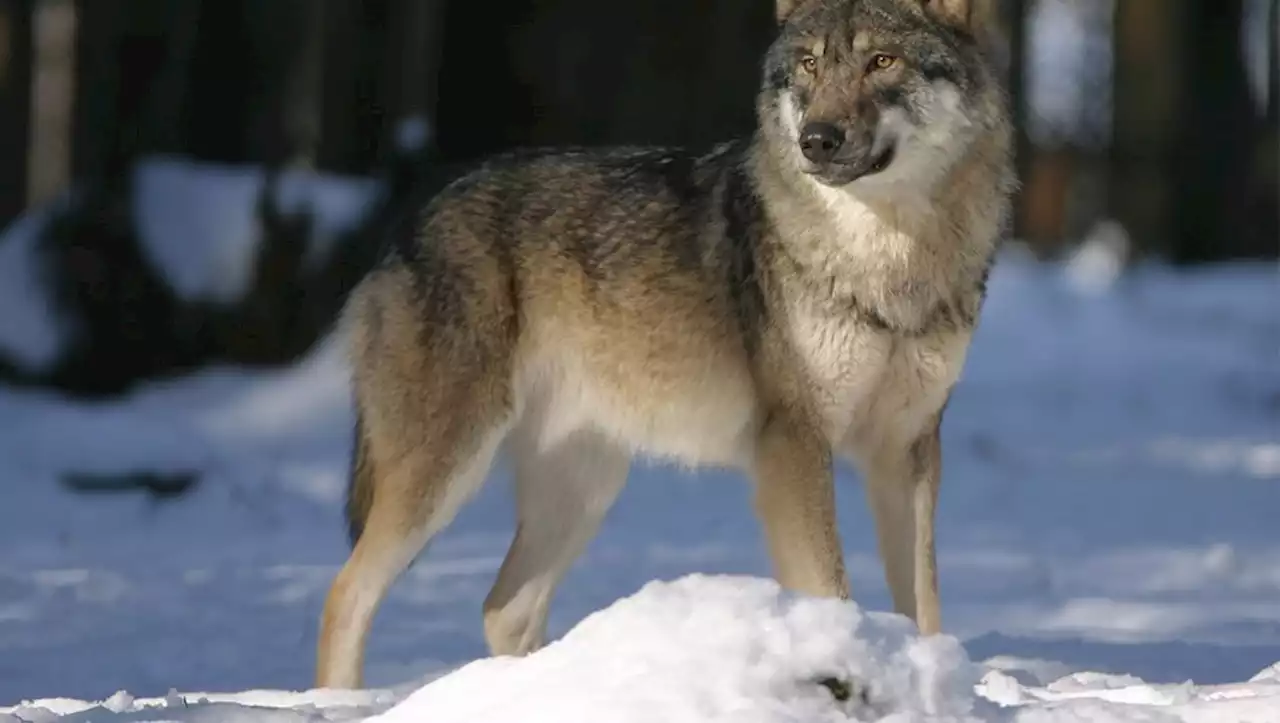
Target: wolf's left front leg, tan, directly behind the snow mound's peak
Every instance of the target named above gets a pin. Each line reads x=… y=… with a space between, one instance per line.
x=796 y=500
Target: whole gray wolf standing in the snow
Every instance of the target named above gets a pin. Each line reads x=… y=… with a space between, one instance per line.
x=774 y=304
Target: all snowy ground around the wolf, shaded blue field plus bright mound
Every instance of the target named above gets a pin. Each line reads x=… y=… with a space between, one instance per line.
x=1108 y=532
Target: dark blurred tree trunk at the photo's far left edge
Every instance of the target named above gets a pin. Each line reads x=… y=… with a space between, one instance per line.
x=16 y=83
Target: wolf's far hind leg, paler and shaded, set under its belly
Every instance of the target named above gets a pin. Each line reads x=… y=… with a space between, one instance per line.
x=563 y=496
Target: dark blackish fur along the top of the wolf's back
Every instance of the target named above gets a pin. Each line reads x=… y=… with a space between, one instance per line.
x=579 y=200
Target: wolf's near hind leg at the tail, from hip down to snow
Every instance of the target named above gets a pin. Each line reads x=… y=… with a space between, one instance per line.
x=432 y=379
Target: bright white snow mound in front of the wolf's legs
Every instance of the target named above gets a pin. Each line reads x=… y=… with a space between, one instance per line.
x=705 y=649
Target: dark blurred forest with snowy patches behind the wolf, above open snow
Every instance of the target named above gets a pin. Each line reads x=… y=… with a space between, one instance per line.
x=200 y=180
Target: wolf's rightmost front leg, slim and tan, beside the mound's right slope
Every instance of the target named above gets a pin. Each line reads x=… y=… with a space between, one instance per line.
x=902 y=484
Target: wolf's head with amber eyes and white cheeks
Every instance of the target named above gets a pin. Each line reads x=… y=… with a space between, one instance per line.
x=874 y=94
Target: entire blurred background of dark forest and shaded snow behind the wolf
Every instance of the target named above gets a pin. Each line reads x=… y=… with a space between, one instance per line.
x=189 y=189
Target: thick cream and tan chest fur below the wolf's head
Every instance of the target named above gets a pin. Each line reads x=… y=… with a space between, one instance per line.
x=880 y=318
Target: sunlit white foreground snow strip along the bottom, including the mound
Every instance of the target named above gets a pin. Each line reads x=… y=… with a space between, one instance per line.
x=719 y=649
